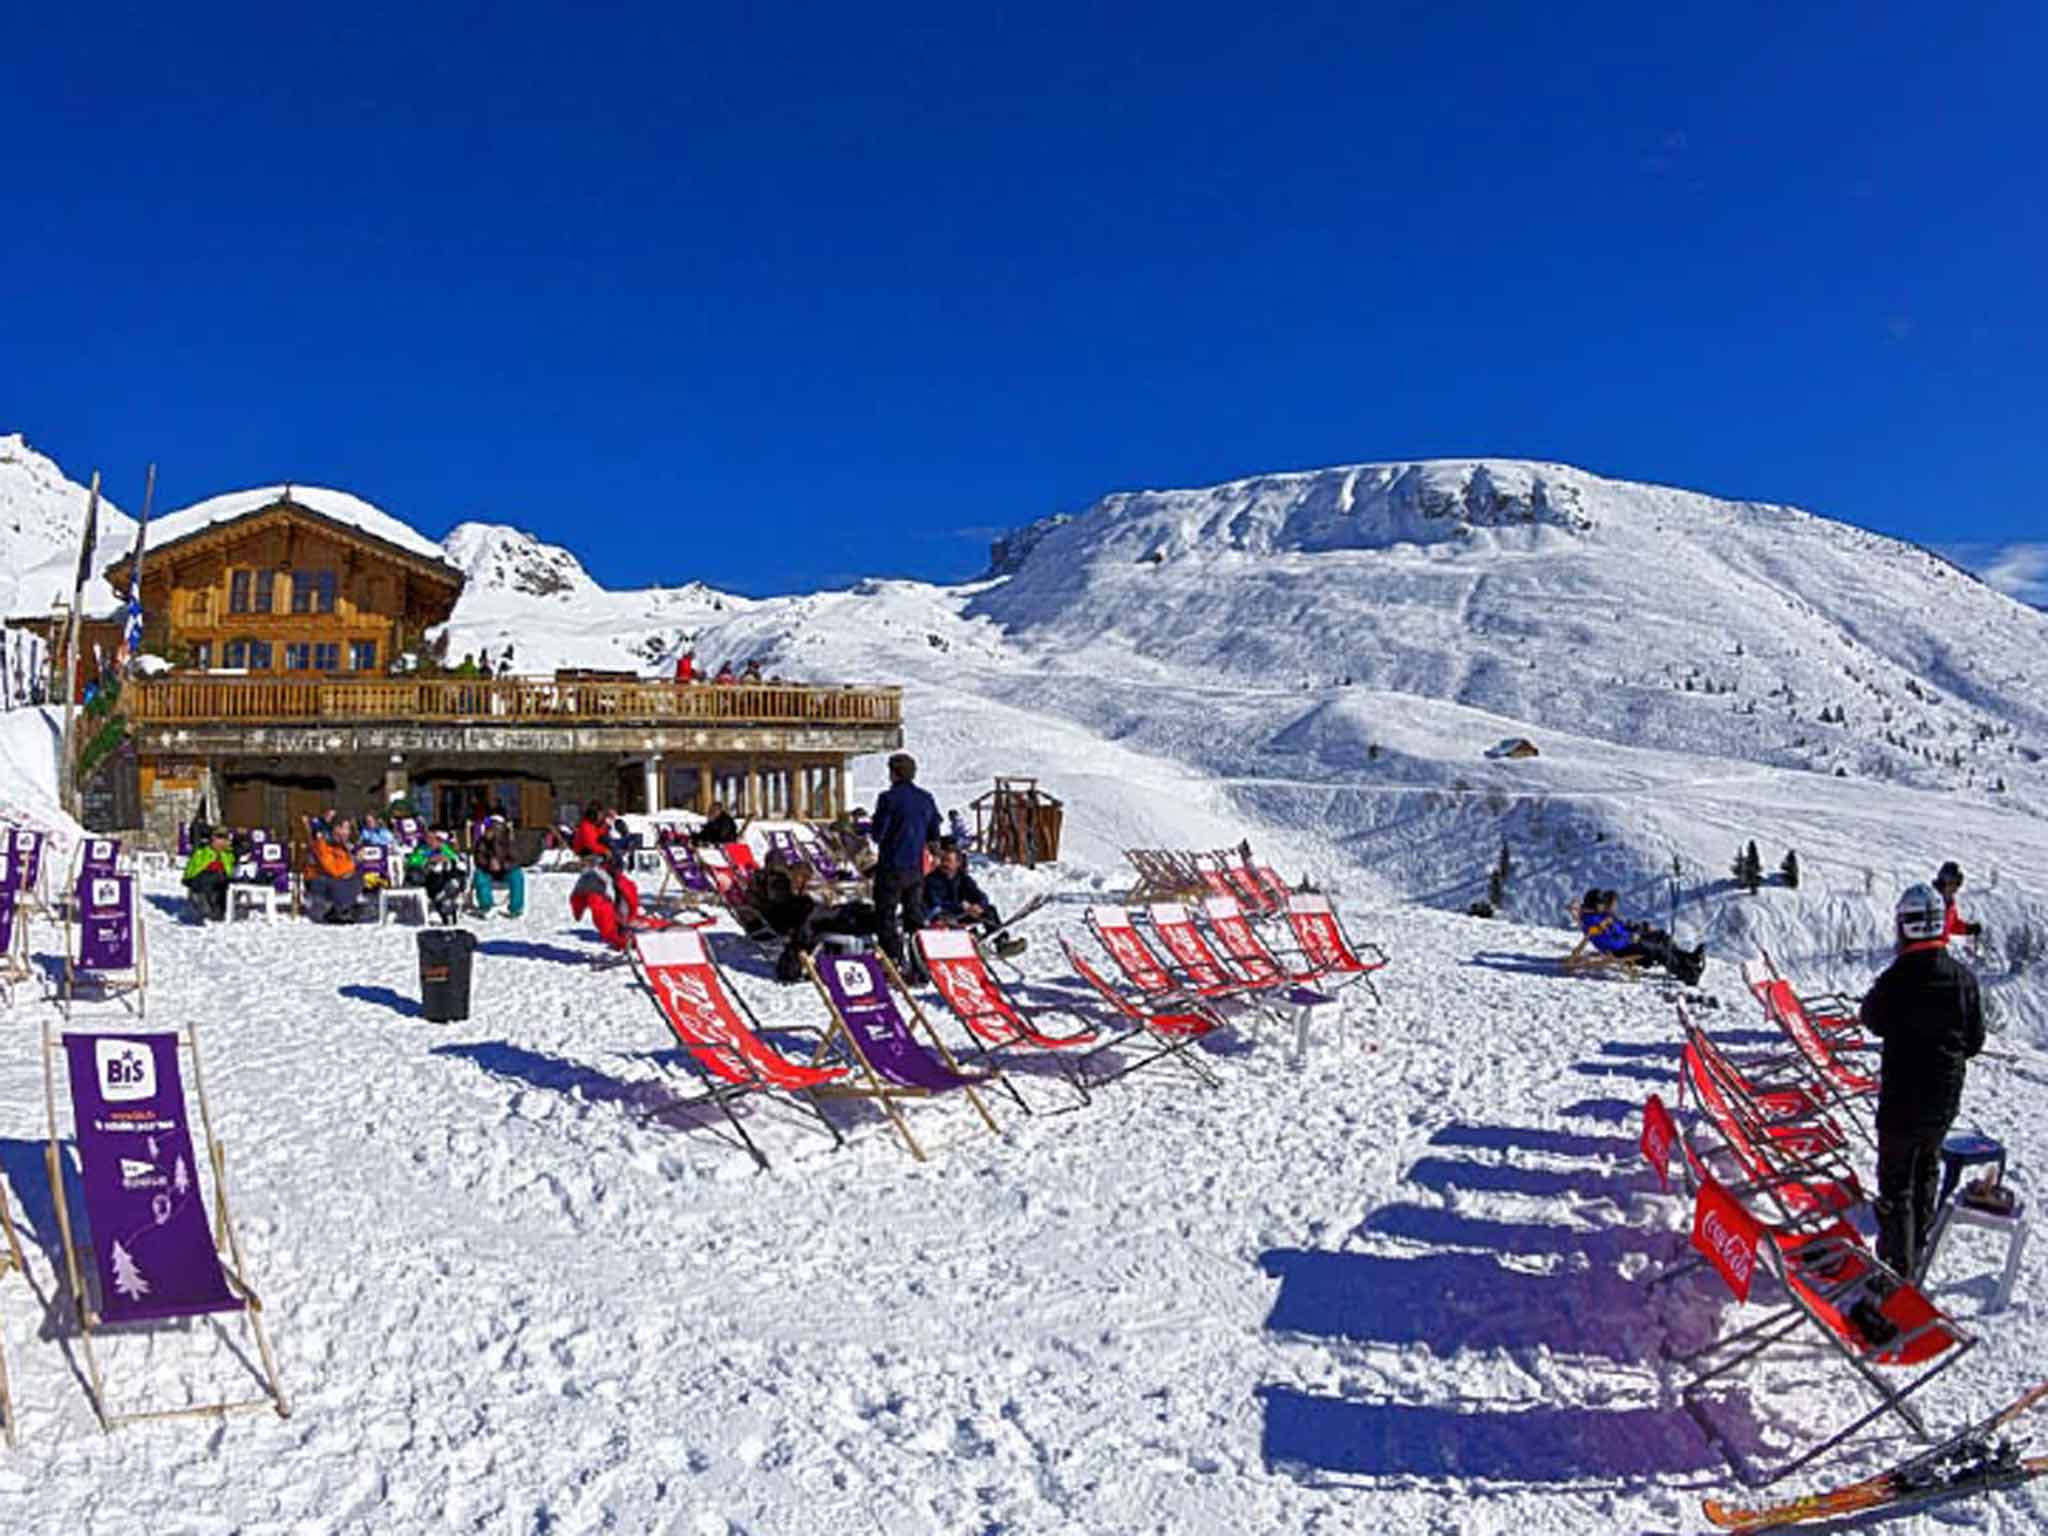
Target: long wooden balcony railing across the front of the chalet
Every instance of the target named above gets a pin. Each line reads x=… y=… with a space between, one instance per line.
x=503 y=701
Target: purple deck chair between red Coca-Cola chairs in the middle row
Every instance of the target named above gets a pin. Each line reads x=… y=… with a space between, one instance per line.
x=890 y=1064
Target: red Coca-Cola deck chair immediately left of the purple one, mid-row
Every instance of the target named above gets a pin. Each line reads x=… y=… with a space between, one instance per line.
x=722 y=1037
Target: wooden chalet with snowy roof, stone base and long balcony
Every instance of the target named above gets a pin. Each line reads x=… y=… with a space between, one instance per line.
x=290 y=620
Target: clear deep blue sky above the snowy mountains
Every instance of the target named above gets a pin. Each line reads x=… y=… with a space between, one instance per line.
x=785 y=296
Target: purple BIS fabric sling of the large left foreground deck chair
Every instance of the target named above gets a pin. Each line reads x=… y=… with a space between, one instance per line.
x=153 y=1248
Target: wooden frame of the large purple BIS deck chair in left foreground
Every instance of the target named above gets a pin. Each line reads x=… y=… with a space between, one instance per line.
x=226 y=1244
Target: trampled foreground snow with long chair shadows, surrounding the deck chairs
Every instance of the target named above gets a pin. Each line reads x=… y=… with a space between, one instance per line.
x=1400 y=1289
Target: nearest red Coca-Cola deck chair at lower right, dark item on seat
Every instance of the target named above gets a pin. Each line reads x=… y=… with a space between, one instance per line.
x=1881 y=1326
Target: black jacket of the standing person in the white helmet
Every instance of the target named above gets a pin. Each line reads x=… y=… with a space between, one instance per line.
x=1932 y=1021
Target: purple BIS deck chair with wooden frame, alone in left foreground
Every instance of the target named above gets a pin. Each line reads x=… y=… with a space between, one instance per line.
x=146 y=1252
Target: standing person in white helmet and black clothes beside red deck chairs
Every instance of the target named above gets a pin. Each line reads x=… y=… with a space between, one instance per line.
x=1928 y=1013
